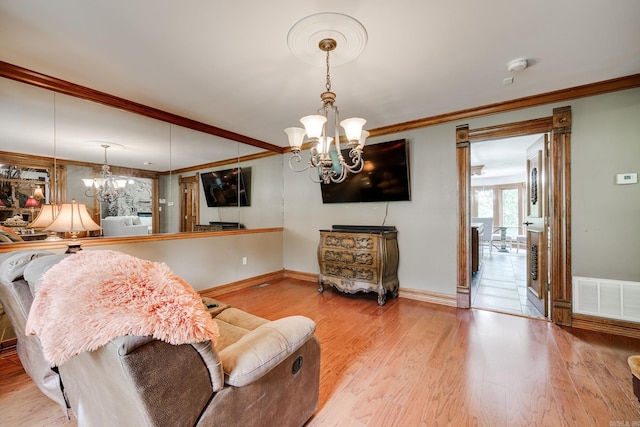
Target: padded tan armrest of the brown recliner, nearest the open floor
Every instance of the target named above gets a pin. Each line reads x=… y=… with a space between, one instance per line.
x=263 y=348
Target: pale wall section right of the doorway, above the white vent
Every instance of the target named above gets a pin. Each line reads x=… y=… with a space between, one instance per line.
x=605 y=216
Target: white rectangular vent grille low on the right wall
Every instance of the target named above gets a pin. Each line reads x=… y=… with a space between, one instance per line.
x=615 y=299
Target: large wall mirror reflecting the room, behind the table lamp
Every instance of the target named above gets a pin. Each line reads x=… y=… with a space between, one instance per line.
x=173 y=178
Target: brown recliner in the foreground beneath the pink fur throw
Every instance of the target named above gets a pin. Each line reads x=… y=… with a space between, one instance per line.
x=260 y=373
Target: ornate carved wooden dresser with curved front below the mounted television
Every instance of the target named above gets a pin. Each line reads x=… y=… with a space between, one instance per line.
x=359 y=259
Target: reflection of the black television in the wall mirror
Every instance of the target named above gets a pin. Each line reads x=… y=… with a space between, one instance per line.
x=229 y=187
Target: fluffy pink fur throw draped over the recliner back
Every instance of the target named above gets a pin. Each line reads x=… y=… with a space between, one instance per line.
x=92 y=297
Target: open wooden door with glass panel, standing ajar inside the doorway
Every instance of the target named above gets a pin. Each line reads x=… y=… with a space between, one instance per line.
x=536 y=227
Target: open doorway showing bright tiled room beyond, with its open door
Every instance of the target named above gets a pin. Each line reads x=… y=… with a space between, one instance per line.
x=504 y=208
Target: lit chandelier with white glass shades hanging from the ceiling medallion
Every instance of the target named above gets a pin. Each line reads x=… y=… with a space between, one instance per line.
x=329 y=163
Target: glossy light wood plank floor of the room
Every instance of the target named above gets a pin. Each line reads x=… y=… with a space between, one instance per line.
x=412 y=363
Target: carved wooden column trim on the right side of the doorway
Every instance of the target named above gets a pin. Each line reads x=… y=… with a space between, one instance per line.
x=560 y=216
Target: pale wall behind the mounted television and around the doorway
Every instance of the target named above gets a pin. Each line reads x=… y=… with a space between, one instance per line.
x=605 y=218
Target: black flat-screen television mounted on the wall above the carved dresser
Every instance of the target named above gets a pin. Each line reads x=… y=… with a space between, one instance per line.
x=384 y=177
